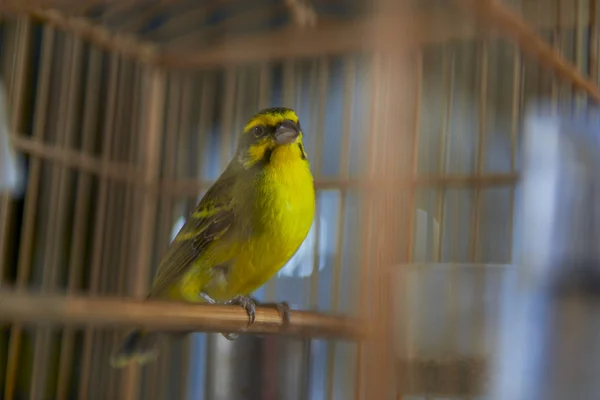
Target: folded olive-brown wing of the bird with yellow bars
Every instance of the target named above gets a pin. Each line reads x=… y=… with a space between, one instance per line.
x=210 y=221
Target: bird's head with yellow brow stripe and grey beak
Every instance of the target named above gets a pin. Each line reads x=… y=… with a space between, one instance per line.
x=271 y=137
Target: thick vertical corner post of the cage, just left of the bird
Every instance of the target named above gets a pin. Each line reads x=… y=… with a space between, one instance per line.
x=153 y=114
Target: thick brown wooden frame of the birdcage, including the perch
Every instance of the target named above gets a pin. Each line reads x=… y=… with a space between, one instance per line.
x=331 y=37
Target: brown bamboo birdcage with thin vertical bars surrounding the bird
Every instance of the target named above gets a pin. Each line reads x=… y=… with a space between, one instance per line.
x=127 y=111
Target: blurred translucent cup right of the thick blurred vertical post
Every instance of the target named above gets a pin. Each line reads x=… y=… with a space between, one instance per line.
x=447 y=324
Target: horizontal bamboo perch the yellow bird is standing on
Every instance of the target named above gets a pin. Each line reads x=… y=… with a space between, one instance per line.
x=33 y=308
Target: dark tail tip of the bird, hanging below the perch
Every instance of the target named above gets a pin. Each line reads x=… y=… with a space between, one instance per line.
x=138 y=346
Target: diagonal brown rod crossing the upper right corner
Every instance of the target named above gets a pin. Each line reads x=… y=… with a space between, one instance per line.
x=511 y=25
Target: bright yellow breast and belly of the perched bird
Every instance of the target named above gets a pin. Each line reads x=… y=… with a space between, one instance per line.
x=277 y=211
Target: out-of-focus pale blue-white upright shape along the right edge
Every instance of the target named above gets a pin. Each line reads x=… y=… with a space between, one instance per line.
x=550 y=348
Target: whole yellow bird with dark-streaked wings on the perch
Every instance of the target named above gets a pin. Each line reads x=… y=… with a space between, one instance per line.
x=244 y=230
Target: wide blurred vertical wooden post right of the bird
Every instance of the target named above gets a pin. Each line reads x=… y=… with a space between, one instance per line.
x=385 y=214
